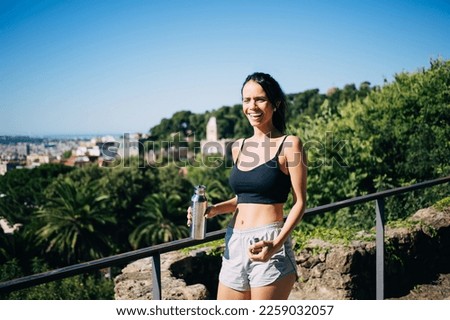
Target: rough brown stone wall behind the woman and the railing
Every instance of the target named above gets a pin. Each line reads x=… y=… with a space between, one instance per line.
x=413 y=255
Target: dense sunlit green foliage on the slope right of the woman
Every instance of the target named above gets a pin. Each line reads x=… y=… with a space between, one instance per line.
x=393 y=136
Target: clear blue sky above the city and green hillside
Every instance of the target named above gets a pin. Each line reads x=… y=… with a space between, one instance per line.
x=118 y=66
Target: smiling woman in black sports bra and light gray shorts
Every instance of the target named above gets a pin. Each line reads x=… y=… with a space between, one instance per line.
x=258 y=261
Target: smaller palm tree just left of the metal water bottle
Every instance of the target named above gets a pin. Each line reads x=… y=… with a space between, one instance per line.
x=157 y=213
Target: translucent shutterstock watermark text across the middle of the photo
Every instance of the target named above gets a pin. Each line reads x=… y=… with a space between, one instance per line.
x=190 y=152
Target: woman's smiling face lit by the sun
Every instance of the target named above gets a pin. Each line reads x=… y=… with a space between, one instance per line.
x=256 y=105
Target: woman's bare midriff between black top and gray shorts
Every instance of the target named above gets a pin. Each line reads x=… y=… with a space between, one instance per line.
x=251 y=215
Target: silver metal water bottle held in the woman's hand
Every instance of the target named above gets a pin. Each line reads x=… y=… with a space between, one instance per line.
x=198 y=209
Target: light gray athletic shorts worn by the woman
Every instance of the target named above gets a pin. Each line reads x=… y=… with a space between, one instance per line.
x=240 y=273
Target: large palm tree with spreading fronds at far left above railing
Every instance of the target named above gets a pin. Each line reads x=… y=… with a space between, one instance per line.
x=75 y=223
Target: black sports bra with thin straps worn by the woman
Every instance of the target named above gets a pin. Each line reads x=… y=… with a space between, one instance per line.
x=264 y=184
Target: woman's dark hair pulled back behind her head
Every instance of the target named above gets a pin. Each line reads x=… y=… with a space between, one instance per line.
x=275 y=95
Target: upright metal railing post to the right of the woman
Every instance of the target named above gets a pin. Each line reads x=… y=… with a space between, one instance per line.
x=379 y=208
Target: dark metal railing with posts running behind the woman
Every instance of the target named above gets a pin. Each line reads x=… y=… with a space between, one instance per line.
x=154 y=252
